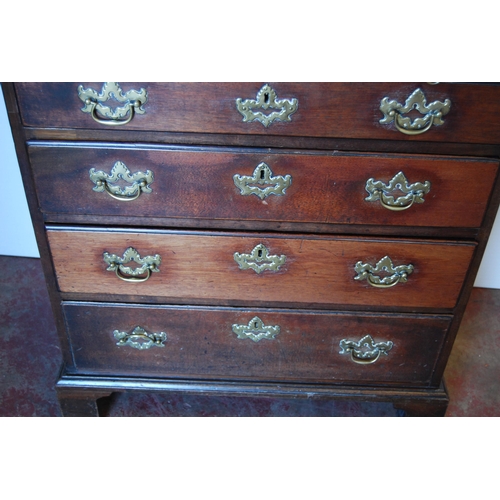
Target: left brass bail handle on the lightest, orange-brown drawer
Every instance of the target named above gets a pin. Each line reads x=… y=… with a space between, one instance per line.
x=148 y=265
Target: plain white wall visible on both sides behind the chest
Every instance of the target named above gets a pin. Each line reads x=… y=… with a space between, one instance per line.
x=16 y=231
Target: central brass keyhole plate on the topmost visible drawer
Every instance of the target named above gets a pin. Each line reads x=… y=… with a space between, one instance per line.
x=267 y=99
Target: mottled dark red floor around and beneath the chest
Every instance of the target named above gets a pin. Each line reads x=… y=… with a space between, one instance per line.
x=30 y=359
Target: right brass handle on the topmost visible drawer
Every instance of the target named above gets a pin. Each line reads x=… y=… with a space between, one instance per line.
x=432 y=113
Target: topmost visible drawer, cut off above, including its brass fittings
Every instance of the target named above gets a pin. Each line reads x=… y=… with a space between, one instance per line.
x=443 y=112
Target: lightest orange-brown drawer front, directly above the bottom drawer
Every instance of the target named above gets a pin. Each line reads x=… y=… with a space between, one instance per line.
x=262 y=270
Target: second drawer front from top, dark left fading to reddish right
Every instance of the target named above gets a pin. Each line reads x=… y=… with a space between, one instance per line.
x=243 y=185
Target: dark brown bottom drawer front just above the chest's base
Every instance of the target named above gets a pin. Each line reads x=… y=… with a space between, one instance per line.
x=225 y=343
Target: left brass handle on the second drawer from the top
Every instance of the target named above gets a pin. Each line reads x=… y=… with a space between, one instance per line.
x=139 y=182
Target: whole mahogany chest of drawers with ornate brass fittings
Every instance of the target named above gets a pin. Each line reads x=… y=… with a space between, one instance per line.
x=271 y=239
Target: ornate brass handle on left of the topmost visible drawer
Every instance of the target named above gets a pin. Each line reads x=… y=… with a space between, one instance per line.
x=133 y=100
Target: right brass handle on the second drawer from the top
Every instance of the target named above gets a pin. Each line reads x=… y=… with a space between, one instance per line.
x=413 y=193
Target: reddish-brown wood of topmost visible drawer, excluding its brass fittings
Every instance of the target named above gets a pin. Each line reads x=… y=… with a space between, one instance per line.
x=341 y=110
